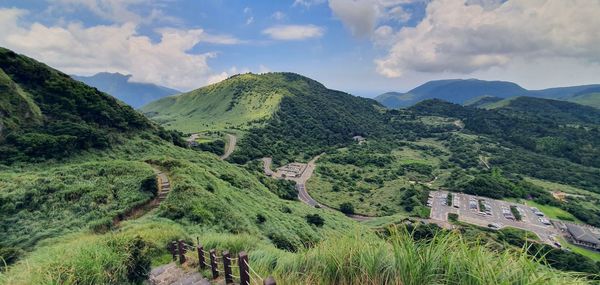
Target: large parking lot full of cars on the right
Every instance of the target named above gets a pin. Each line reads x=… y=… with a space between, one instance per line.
x=491 y=213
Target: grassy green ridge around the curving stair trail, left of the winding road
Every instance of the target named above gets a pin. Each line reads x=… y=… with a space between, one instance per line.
x=208 y=196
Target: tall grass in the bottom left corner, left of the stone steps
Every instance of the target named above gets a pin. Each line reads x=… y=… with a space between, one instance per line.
x=116 y=258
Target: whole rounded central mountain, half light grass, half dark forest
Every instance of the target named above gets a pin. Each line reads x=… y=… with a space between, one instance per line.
x=282 y=113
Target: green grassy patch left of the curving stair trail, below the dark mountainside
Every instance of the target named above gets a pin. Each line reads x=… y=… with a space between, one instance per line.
x=46 y=201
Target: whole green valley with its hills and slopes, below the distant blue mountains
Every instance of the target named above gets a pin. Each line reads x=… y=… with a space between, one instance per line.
x=292 y=172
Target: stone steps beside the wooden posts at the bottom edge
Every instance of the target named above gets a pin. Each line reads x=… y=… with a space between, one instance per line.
x=170 y=274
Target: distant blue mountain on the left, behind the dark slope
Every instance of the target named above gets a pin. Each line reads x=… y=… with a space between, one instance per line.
x=133 y=93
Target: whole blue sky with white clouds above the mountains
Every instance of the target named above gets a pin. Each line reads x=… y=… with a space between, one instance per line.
x=364 y=47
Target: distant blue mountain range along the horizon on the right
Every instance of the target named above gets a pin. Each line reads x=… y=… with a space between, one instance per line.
x=469 y=91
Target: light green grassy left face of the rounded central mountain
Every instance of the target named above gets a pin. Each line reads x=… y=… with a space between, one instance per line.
x=229 y=104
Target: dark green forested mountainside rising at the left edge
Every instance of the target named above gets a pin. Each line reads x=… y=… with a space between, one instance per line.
x=46 y=114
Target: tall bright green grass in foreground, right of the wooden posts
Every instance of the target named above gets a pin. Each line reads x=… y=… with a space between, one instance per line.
x=445 y=259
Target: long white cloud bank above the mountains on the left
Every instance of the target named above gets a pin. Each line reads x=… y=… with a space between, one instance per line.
x=76 y=49
